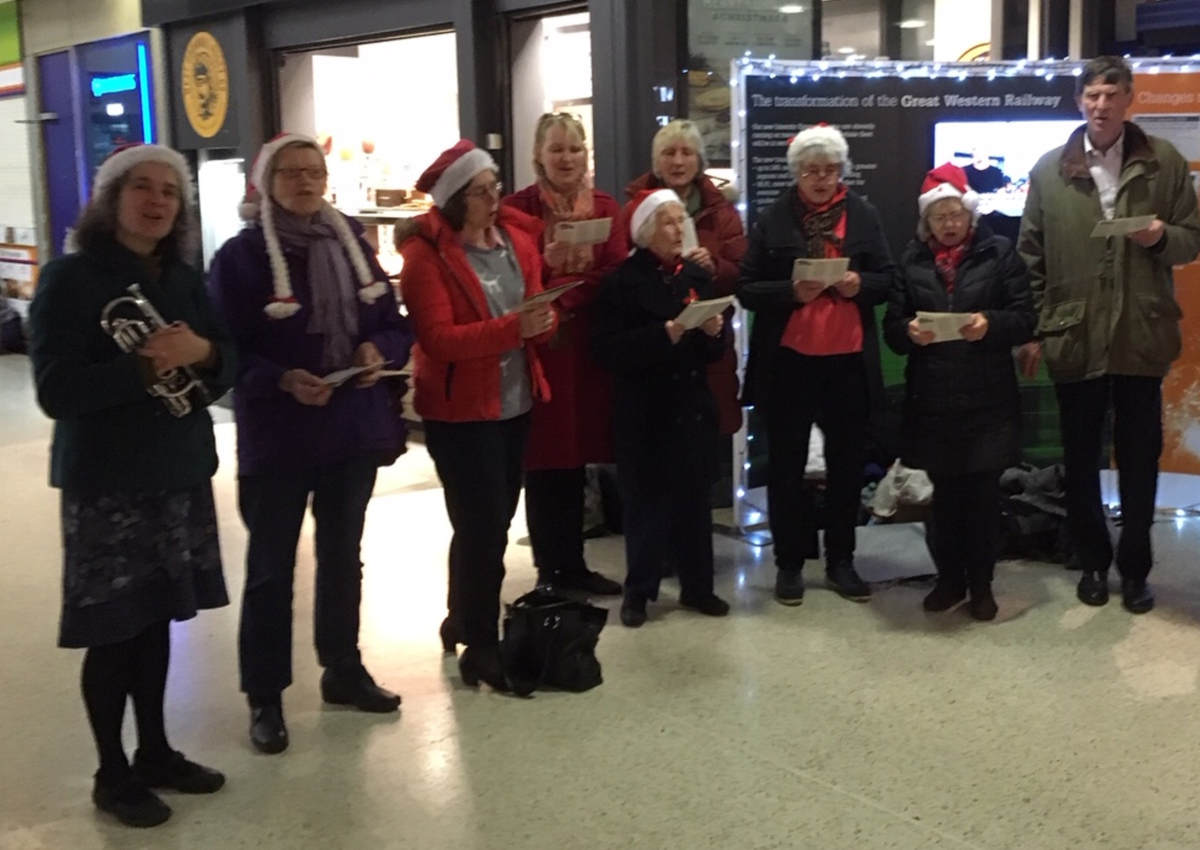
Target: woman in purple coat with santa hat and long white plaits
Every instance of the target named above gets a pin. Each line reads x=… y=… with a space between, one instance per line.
x=305 y=297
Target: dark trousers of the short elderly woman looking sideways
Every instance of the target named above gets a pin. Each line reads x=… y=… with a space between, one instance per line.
x=667 y=512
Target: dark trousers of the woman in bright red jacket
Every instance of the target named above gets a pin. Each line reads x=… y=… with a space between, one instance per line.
x=479 y=465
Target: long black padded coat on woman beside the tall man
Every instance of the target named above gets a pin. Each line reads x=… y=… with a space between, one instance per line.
x=962 y=400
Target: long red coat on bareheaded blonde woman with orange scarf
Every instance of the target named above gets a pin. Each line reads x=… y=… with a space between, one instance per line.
x=577 y=427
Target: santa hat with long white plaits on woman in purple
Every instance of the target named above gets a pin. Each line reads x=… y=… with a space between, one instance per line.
x=284 y=303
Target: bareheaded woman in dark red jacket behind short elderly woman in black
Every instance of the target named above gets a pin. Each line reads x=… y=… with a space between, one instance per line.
x=679 y=163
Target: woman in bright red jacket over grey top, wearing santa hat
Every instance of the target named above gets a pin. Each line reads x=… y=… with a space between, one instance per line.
x=470 y=266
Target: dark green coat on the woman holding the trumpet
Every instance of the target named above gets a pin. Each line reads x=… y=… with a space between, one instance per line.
x=110 y=433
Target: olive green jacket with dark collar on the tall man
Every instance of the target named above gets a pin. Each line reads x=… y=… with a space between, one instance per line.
x=1107 y=307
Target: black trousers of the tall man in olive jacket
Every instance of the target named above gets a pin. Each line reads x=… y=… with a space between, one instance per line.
x=1138 y=442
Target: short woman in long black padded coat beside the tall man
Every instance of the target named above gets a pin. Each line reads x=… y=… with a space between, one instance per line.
x=962 y=421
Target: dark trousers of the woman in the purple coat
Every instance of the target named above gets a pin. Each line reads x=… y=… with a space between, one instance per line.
x=273 y=507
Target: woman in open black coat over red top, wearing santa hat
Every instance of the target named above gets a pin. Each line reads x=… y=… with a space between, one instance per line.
x=815 y=356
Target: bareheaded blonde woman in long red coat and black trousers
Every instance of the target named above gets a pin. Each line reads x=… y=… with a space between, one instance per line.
x=574 y=428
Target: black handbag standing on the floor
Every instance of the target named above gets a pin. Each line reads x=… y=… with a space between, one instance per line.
x=550 y=642
